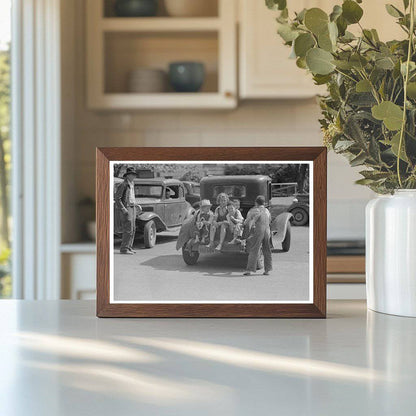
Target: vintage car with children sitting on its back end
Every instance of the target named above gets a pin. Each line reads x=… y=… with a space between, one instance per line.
x=245 y=189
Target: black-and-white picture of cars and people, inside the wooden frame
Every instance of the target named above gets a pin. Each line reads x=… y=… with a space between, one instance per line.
x=211 y=232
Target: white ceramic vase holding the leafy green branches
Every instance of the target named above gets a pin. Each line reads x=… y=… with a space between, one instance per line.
x=391 y=253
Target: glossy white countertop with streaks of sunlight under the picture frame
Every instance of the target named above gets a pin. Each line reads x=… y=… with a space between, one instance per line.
x=57 y=359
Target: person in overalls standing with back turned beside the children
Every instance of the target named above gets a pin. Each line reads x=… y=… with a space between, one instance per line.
x=258 y=220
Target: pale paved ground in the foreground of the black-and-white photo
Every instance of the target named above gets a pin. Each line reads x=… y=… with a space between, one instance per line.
x=161 y=274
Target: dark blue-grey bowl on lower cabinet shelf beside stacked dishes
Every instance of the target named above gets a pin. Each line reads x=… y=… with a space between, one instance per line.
x=186 y=76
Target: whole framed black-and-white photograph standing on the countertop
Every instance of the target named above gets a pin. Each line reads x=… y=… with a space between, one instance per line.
x=211 y=232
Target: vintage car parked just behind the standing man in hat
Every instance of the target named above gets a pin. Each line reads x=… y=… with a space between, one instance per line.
x=160 y=212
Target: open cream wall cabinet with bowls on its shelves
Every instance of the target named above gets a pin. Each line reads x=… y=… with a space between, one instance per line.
x=116 y=46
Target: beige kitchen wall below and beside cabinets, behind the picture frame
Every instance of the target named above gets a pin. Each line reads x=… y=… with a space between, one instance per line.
x=266 y=123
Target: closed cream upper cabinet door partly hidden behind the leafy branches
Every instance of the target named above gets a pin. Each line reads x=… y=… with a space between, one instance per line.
x=265 y=68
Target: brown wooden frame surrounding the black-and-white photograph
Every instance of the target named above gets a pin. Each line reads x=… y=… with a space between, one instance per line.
x=316 y=156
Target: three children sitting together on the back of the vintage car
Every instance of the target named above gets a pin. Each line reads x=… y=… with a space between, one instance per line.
x=226 y=217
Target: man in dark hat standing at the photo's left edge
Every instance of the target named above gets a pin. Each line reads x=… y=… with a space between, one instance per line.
x=126 y=202
